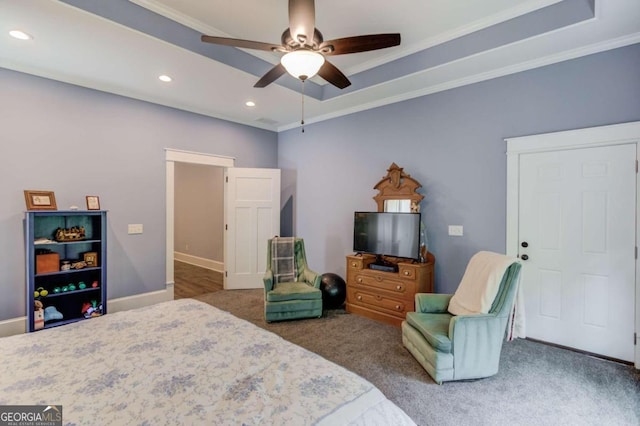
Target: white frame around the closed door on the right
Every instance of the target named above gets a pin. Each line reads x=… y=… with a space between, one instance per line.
x=617 y=134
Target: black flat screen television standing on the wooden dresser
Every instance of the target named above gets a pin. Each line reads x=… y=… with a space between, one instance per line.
x=387 y=234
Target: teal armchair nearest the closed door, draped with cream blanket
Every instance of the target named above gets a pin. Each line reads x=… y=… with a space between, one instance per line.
x=456 y=347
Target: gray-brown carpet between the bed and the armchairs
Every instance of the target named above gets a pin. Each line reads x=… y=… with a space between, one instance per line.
x=537 y=384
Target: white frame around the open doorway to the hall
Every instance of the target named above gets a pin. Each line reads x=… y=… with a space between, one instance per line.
x=171 y=157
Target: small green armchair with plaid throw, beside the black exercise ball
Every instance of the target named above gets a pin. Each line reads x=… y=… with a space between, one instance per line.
x=291 y=294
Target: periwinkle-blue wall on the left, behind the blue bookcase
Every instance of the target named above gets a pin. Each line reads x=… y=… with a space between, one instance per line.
x=76 y=142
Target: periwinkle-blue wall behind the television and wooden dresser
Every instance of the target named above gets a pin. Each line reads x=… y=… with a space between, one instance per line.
x=451 y=142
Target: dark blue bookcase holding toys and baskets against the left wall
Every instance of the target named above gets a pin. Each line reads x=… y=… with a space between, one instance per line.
x=66 y=261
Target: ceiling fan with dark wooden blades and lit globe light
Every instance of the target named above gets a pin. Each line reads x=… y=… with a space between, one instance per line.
x=305 y=49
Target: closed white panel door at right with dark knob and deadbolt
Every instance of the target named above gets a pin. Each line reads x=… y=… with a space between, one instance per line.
x=577 y=221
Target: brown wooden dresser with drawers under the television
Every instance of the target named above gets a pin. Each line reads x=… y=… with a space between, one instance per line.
x=386 y=296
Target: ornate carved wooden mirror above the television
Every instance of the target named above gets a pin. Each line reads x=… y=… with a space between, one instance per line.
x=397 y=191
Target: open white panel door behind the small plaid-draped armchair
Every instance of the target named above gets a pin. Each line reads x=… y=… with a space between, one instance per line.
x=252 y=216
